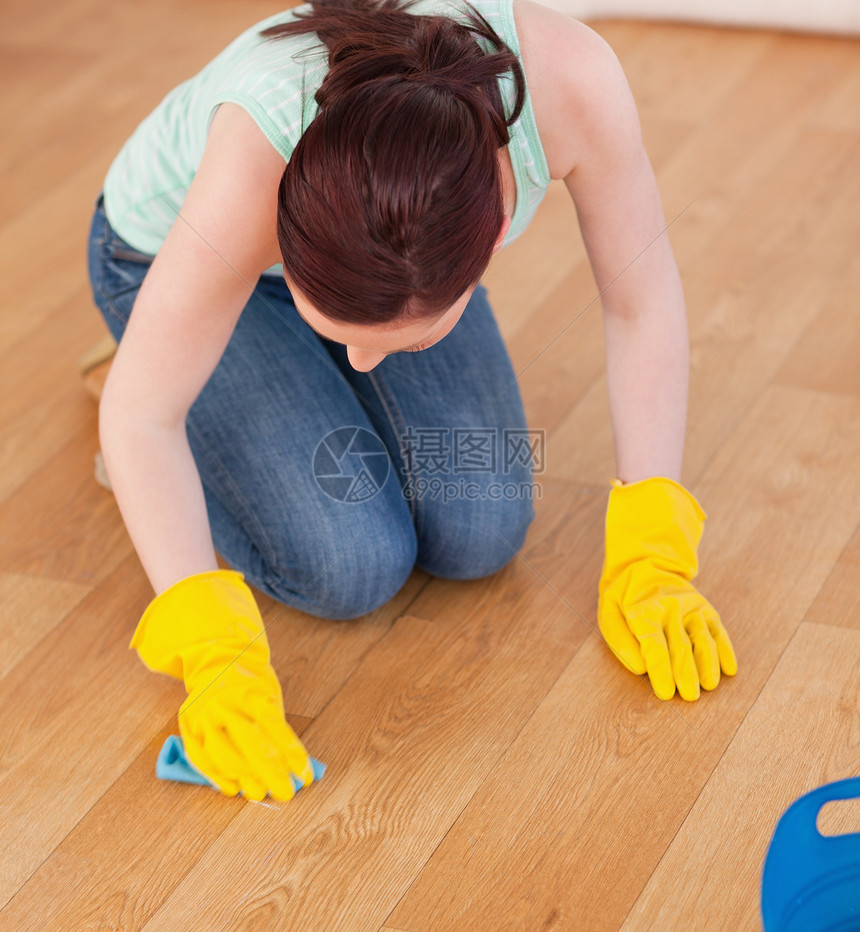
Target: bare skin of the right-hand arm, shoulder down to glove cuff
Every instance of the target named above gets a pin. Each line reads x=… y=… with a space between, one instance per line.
x=591 y=133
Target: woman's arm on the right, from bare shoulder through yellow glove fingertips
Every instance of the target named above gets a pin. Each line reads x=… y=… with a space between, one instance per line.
x=648 y=611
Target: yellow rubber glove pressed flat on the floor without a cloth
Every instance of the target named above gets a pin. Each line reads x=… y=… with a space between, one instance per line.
x=651 y=616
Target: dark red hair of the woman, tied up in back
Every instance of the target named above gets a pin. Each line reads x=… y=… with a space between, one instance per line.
x=392 y=200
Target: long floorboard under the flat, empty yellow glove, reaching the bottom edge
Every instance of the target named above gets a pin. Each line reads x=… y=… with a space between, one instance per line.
x=571 y=848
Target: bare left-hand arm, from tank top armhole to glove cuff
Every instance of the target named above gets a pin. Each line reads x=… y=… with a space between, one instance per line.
x=181 y=323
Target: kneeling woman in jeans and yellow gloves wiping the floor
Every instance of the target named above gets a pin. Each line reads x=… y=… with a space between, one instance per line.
x=314 y=211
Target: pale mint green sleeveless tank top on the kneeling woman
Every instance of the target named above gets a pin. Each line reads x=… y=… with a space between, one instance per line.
x=275 y=81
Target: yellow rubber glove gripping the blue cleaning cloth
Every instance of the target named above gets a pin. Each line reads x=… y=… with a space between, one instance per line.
x=207 y=630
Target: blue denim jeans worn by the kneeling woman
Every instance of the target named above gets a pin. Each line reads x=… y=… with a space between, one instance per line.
x=326 y=486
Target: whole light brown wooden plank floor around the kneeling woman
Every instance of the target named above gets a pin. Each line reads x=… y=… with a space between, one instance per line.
x=491 y=766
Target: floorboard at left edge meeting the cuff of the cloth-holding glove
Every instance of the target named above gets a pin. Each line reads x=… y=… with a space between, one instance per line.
x=72 y=716
